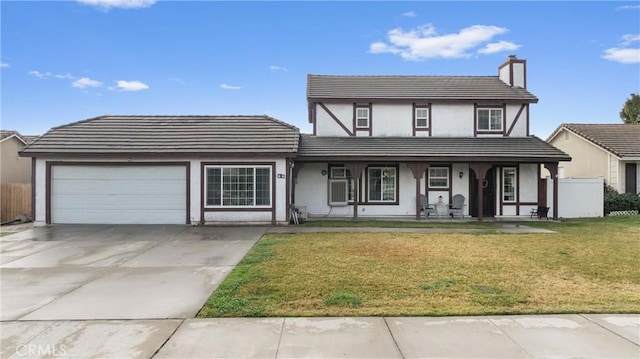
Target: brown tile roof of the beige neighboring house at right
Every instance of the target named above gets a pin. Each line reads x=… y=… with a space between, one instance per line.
x=623 y=140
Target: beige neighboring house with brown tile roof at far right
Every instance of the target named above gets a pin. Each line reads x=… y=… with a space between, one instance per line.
x=599 y=150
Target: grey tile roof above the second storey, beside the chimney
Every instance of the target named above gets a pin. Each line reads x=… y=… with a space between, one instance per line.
x=414 y=87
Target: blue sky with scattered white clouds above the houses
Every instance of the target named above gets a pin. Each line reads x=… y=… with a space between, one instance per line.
x=65 y=61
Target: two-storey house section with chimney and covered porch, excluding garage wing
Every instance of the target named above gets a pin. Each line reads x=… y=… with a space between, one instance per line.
x=380 y=142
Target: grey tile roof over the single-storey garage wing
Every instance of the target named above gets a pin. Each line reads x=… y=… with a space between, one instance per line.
x=168 y=135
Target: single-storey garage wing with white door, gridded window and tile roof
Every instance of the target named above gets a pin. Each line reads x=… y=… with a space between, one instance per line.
x=165 y=170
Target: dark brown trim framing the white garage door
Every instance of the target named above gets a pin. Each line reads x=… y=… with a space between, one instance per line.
x=50 y=164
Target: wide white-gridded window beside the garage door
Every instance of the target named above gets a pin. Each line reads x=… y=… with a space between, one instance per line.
x=230 y=186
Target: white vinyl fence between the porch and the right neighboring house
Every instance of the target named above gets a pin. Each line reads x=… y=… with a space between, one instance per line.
x=577 y=197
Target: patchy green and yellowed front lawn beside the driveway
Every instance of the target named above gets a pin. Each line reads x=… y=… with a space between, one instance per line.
x=587 y=266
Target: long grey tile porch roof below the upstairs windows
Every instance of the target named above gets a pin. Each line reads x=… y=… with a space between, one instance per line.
x=496 y=149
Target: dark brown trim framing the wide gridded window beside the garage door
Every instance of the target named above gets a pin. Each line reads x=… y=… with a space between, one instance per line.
x=203 y=197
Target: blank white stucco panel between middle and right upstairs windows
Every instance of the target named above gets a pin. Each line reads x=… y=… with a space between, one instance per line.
x=452 y=120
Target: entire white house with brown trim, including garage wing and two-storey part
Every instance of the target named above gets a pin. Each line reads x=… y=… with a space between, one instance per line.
x=378 y=144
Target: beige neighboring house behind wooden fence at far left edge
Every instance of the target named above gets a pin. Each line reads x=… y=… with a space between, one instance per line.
x=14 y=169
